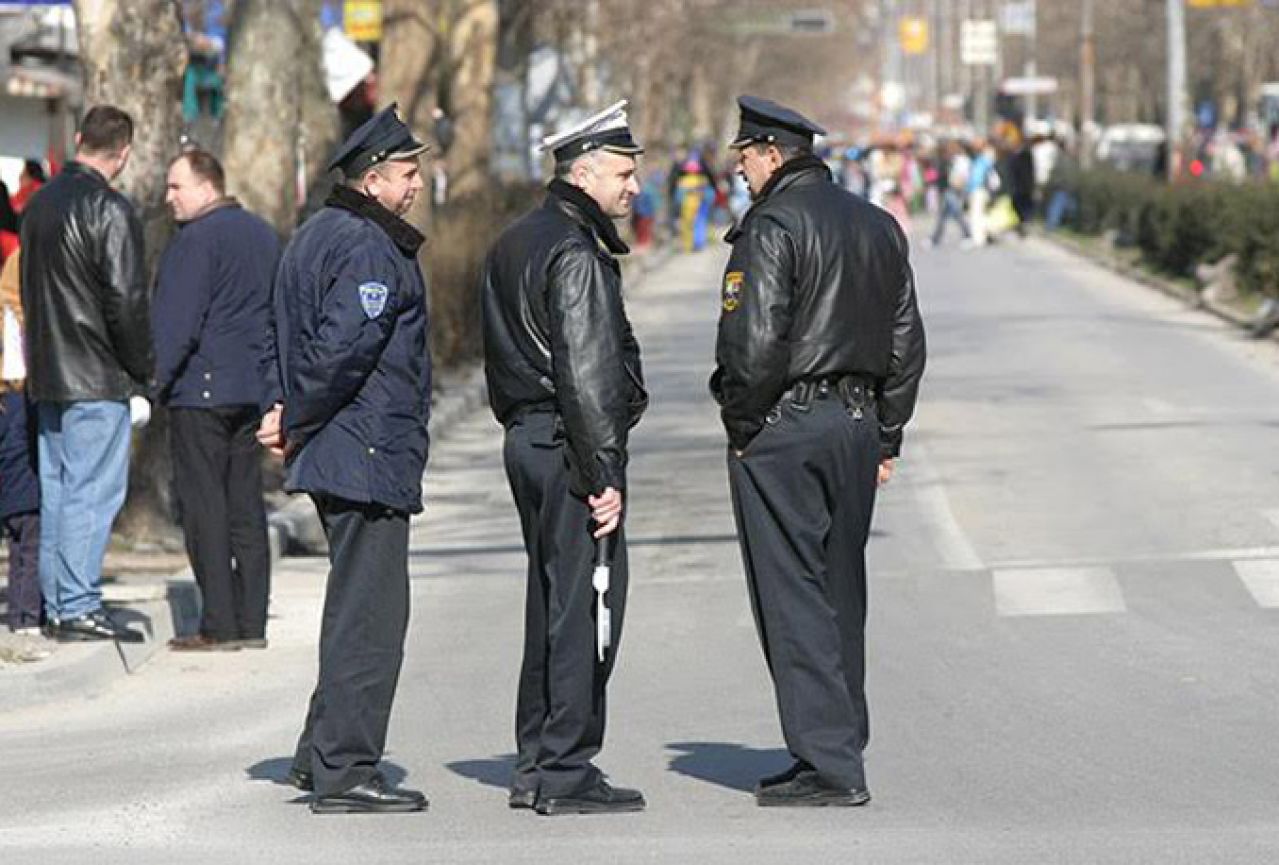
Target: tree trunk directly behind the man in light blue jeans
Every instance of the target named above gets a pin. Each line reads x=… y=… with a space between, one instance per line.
x=135 y=56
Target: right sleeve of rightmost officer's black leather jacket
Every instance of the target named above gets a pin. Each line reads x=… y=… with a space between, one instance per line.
x=901 y=387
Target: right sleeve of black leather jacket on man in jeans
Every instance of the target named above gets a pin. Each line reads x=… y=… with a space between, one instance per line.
x=126 y=301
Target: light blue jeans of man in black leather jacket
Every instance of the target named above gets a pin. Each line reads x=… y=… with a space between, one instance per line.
x=84 y=479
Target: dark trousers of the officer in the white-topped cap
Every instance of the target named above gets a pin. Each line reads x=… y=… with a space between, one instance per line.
x=561 y=706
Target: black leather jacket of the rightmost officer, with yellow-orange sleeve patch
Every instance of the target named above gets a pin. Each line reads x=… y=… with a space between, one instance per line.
x=819 y=286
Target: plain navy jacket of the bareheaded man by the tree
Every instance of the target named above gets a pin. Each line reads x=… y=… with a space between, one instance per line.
x=212 y=309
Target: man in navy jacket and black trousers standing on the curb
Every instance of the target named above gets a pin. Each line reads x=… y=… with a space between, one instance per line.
x=210 y=318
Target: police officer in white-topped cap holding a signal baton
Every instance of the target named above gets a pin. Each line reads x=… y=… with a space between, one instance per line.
x=565 y=381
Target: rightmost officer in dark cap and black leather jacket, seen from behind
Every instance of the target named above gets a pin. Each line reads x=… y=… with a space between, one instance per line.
x=819 y=359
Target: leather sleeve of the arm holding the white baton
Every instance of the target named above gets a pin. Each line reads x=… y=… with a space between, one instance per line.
x=588 y=333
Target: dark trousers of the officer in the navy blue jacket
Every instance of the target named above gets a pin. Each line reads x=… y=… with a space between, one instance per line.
x=361 y=644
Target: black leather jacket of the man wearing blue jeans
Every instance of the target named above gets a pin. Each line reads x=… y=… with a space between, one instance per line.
x=84 y=292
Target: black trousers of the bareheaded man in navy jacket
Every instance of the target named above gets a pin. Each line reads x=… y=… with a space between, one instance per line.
x=218 y=482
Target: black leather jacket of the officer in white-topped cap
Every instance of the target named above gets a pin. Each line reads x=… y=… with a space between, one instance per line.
x=557 y=336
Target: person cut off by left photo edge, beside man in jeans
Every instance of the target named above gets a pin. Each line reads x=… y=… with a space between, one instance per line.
x=20 y=484
